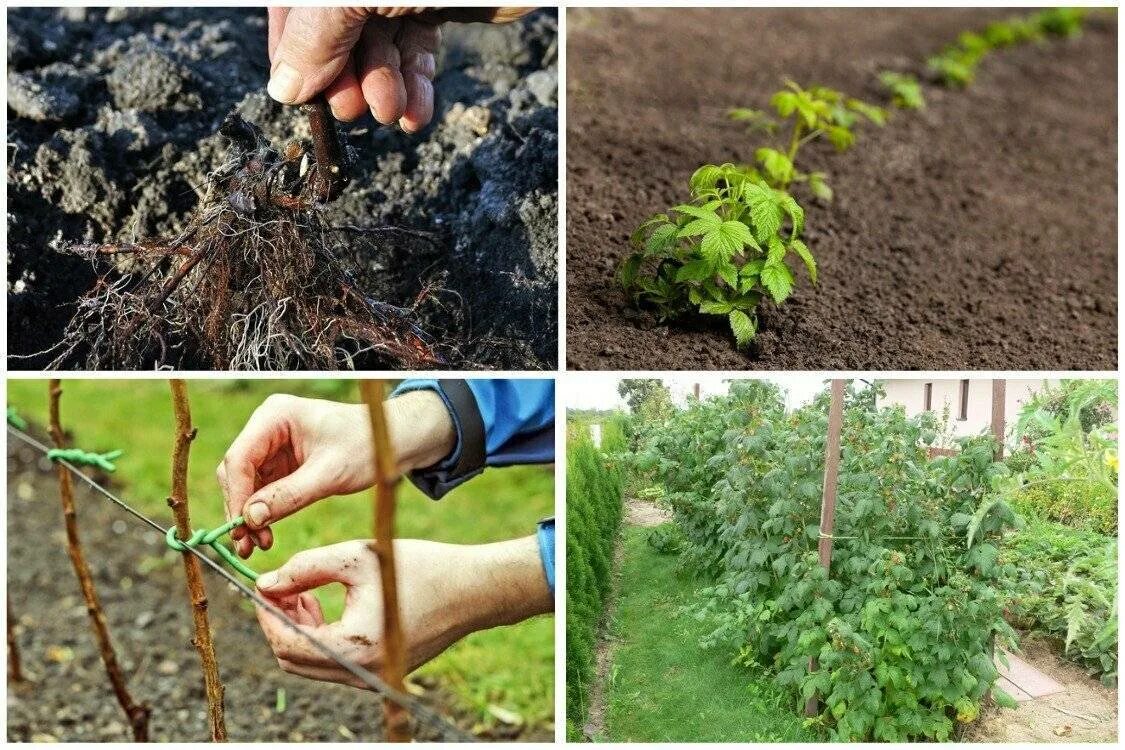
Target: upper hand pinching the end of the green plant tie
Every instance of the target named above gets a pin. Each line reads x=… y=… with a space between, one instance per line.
x=295 y=451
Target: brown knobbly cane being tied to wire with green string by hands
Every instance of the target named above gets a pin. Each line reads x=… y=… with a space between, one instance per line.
x=213 y=685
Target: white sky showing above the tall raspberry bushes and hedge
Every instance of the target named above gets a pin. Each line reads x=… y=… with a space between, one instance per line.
x=600 y=392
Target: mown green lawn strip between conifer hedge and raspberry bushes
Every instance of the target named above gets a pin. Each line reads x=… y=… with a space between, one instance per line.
x=662 y=686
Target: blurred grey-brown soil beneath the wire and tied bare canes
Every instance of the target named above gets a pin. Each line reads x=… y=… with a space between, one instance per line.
x=145 y=598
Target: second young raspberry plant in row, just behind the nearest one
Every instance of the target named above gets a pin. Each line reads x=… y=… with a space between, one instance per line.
x=814 y=113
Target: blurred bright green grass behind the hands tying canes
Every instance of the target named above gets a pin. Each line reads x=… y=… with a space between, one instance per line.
x=510 y=667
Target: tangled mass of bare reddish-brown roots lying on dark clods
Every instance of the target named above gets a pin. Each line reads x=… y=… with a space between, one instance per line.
x=255 y=282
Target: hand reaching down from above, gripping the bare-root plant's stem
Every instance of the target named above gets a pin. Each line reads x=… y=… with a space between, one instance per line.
x=377 y=59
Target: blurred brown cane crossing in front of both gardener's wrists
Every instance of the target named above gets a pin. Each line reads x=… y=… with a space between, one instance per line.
x=394 y=657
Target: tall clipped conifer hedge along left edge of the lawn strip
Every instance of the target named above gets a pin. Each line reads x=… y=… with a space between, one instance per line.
x=593 y=518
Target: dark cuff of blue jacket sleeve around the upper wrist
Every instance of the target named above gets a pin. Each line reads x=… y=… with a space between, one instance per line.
x=467 y=459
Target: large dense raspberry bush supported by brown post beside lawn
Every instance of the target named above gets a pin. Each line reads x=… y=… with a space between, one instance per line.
x=904 y=626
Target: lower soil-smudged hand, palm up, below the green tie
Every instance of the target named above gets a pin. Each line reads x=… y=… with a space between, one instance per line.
x=446 y=592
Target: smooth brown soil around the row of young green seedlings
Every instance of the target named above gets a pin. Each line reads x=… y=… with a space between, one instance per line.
x=978 y=234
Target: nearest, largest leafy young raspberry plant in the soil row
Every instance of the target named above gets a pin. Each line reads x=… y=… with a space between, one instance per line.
x=722 y=254
